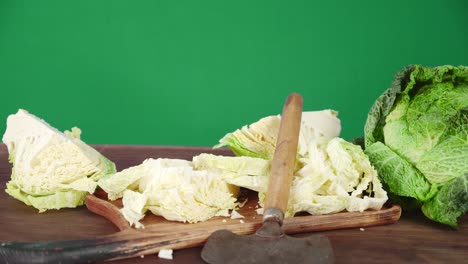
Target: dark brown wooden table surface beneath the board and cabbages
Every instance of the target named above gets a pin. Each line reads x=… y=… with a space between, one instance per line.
x=413 y=239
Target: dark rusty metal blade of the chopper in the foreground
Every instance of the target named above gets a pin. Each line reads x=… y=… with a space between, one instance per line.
x=226 y=247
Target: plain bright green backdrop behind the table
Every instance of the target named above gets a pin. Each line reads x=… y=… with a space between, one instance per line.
x=177 y=72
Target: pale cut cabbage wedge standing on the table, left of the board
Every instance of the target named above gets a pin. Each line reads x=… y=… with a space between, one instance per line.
x=51 y=169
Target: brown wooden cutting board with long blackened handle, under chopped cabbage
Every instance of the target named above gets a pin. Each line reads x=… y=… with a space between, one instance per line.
x=160 y=234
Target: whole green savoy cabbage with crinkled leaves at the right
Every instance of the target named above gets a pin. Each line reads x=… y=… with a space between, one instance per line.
x=416 y=136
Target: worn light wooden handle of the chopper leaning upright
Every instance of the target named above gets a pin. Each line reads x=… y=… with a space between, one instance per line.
x=284 y=158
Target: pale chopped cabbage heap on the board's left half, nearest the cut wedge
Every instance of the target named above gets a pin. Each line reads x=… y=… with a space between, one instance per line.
x=171 y=188
